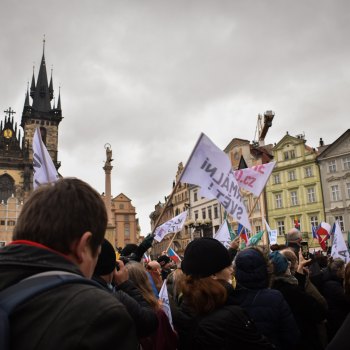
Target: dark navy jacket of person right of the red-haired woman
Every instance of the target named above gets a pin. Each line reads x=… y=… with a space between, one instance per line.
x=271 y=314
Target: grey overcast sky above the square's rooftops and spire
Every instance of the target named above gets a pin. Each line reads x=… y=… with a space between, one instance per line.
x=149 y=76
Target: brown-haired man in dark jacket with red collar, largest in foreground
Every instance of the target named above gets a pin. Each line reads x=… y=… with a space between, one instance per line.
x=59 y=231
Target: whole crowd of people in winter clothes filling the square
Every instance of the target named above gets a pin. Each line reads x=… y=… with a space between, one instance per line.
x=254 y=298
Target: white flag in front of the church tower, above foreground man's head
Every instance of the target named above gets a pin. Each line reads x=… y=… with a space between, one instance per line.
x=44 y=169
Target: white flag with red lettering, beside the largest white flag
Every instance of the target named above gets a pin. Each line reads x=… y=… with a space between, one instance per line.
x=254 y=179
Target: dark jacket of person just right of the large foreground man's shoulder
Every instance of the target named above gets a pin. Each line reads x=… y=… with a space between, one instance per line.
x=141 y=312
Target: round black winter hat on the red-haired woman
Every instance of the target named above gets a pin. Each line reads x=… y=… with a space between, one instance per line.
x=204 y=257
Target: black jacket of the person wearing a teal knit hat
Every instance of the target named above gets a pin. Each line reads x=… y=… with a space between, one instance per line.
x=307 y=311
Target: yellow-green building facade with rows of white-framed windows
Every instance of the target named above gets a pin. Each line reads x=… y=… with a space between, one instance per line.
x=294 y=189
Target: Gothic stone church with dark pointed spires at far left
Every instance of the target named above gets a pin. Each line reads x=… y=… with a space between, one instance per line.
x=16 y=154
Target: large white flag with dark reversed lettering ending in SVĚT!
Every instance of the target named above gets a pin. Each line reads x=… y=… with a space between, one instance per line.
x=210 y=168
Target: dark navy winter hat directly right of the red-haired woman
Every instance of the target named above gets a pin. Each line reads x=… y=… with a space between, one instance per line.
x=251 y=269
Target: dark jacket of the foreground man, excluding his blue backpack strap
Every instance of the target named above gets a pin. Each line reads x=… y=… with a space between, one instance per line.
x=72 y=316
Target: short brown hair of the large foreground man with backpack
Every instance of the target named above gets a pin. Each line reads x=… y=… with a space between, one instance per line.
x=57 y=215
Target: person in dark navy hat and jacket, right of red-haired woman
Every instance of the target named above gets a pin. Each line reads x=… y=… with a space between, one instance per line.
x=267 y=307
